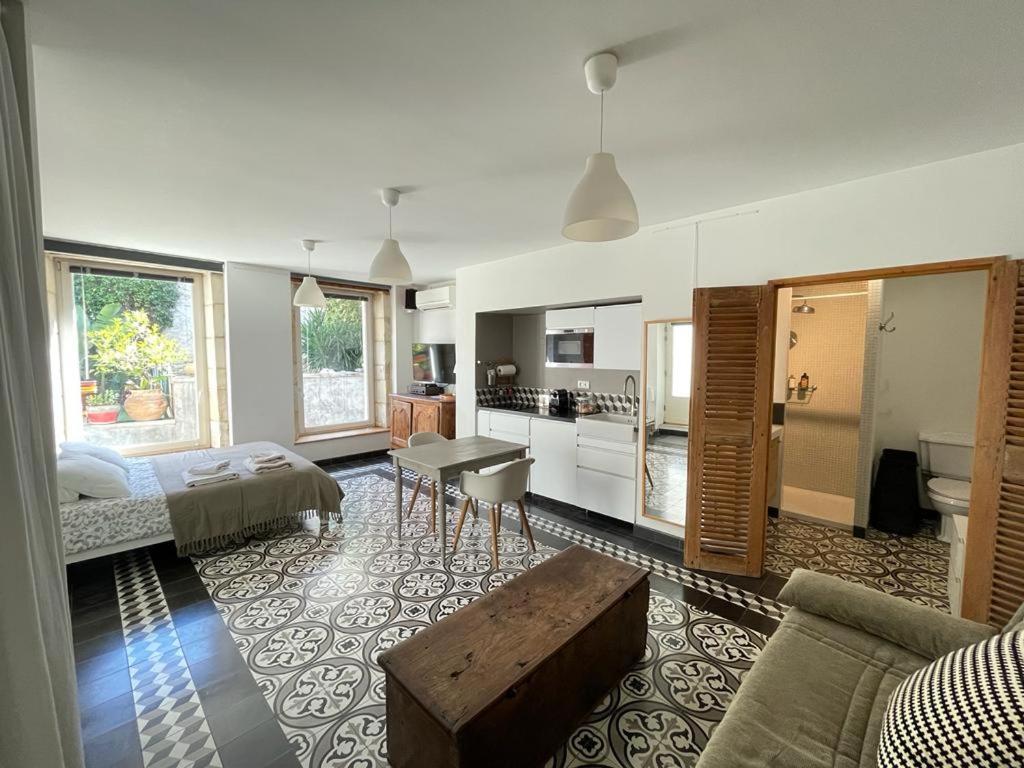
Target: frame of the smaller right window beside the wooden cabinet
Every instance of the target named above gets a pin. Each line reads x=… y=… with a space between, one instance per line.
x=304 y=434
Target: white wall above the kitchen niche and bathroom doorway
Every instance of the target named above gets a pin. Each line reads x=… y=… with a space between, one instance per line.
x=957 y=209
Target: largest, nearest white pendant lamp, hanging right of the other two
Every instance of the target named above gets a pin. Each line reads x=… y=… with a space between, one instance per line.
x=602 y=207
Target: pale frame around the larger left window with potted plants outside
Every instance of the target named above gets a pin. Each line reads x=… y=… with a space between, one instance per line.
x=68 y=349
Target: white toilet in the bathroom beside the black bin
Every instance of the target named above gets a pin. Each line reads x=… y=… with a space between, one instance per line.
x=947 y=459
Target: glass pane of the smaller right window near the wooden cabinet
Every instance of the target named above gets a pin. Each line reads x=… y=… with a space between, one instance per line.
x=334 y=365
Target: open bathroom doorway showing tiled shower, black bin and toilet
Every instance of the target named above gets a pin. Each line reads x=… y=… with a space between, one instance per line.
x=877 y=381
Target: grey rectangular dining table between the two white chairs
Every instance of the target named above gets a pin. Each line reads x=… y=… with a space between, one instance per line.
x=449 y=459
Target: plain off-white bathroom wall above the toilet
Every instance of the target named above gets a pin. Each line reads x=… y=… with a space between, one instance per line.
x=930 y=366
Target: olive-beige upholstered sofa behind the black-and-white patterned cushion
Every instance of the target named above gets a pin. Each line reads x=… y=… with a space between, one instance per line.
x=818 y=695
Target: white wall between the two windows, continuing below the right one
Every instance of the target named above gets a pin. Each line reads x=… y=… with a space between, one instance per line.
x=262 y=397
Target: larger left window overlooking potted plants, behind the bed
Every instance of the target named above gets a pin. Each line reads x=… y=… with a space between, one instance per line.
x=132 y=357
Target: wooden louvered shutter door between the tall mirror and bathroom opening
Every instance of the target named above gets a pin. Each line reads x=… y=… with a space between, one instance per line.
x=731 y=424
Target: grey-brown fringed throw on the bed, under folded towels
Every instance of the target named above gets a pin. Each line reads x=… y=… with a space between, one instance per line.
x=227 y=513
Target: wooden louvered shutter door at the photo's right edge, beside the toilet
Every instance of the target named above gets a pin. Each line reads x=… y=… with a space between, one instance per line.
x=994 y=567
